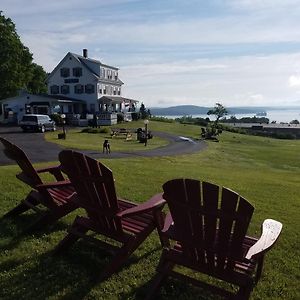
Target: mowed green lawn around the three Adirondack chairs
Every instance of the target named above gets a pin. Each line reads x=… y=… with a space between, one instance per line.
x=264 y=171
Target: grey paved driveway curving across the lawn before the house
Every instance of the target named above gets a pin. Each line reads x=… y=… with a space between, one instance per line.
x=39 y=150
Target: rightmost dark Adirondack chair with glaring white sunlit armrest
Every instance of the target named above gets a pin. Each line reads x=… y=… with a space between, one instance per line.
x=208 y=226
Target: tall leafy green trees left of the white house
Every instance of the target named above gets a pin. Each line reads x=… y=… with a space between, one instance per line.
x=17 y=71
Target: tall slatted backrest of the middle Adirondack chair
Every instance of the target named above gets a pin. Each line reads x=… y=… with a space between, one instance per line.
x=95 y=187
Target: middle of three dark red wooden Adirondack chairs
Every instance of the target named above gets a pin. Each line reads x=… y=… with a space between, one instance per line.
x=107 y=215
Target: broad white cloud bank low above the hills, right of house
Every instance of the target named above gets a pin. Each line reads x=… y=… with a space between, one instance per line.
x=248 y=80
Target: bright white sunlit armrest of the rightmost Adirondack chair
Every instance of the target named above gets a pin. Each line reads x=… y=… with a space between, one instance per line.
x=270 y=232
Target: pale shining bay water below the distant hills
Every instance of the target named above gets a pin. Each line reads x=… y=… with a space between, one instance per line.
x=279 y=116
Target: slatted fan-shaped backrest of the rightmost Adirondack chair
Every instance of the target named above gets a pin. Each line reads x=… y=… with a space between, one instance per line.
x=210 y=222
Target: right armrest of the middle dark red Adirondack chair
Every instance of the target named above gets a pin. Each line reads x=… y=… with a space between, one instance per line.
x=154 y=202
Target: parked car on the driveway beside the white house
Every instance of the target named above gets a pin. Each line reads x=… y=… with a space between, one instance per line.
x=39 y=123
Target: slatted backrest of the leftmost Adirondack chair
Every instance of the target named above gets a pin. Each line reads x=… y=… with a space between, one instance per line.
x=29 y=174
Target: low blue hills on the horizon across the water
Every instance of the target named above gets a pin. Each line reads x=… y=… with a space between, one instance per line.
x=187 y=110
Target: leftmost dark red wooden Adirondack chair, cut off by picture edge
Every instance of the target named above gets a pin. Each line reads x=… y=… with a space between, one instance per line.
x=56 y=196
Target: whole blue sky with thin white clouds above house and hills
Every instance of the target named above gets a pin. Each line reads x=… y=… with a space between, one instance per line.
x=175 y=52
